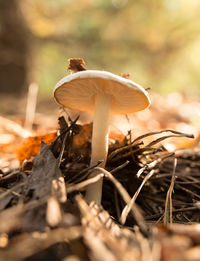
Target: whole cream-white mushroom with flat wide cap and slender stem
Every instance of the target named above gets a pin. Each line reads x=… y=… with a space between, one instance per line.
x=101 y=93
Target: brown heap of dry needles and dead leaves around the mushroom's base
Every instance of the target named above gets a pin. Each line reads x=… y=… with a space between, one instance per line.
x=147 y=192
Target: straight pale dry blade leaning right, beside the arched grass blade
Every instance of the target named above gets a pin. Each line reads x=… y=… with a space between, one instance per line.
x=129 y=206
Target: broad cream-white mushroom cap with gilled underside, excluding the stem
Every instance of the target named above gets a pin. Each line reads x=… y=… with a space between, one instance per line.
x=77 y=91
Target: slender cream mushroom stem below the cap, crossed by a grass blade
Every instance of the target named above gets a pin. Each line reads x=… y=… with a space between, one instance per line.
x=99 y=143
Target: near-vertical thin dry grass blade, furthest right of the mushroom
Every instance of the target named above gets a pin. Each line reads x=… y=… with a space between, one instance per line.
x=168 y=202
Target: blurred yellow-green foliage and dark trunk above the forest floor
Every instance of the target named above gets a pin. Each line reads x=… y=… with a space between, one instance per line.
x=157 y=42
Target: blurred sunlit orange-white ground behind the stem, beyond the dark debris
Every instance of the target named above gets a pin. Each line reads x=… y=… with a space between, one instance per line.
x=172 y=111
